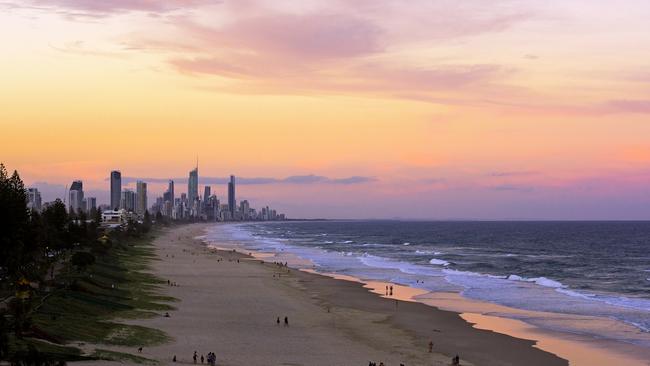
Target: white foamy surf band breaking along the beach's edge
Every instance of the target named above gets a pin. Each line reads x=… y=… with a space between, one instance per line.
x=397 y=264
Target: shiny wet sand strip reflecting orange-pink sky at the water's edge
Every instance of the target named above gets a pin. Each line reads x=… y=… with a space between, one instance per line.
x=578 y=349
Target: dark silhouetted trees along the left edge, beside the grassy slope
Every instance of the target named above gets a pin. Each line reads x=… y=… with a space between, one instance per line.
x=35 y=246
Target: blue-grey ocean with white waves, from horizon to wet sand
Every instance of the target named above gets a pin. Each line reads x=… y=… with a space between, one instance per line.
x=583 y=269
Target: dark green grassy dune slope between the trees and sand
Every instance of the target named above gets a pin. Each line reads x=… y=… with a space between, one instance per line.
x=117 y=286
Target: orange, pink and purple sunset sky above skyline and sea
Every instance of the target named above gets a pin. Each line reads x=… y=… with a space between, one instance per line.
x=438 y=109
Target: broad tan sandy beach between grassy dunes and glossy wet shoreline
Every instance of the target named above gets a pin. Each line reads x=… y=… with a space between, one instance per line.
x=230 y=306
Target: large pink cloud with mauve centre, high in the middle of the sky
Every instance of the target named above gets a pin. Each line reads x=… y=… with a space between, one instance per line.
x=322 y=53
